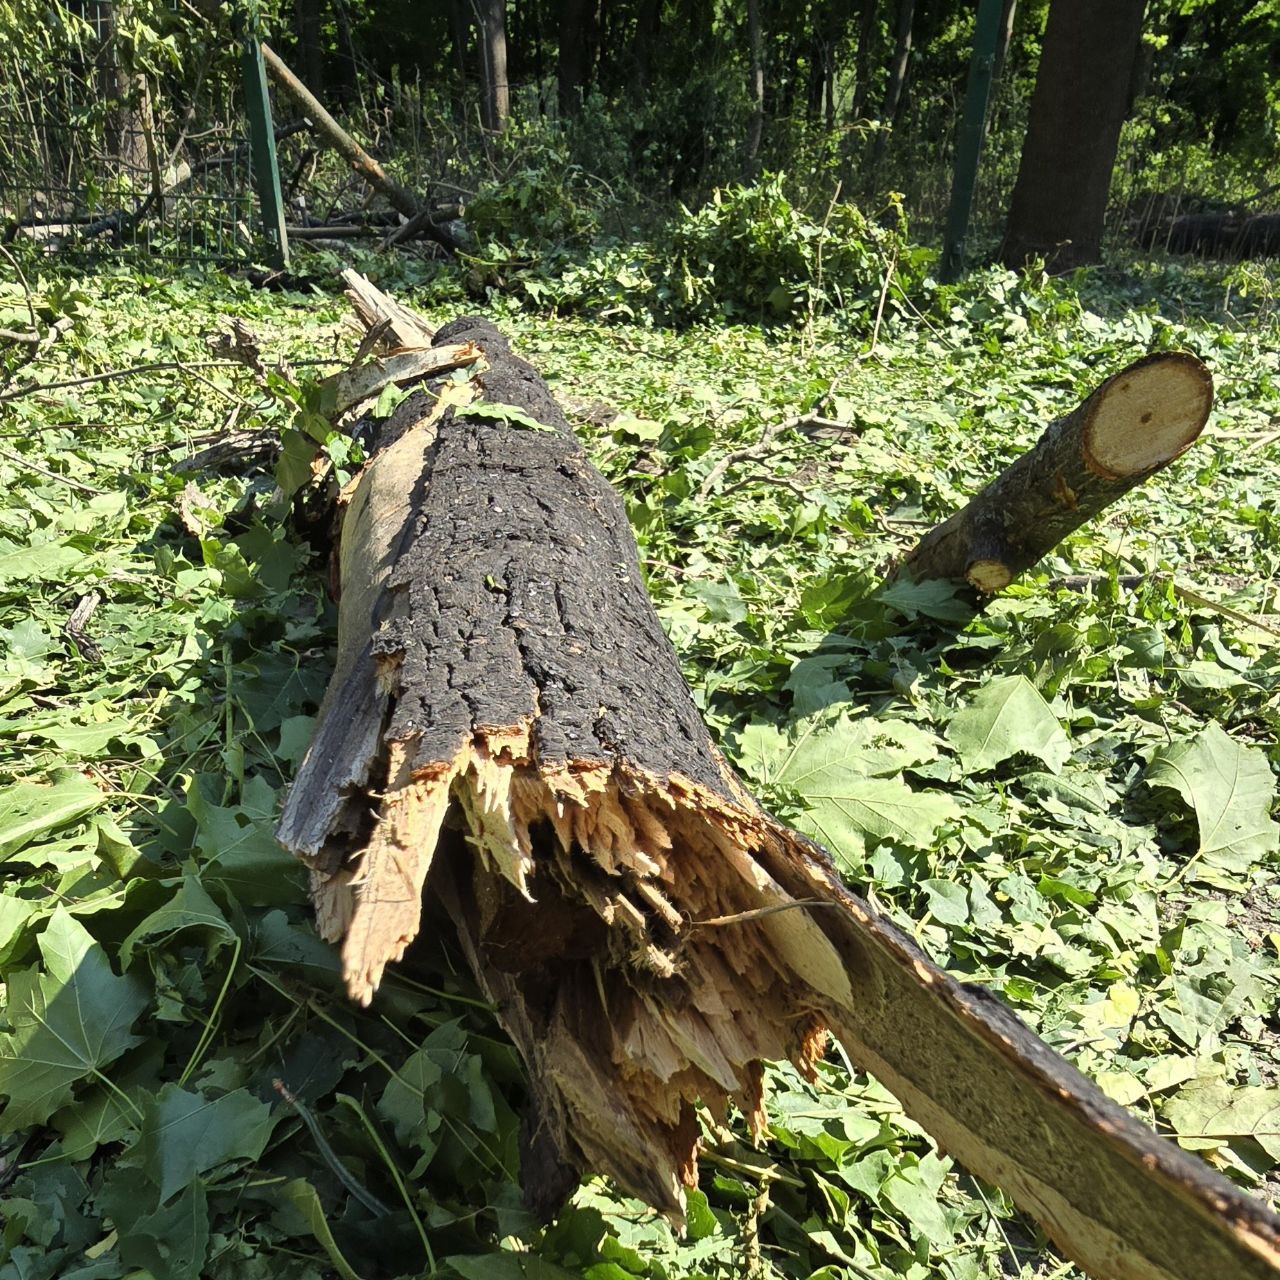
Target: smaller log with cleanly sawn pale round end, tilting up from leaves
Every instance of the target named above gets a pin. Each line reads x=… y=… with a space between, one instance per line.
x=1131 y=428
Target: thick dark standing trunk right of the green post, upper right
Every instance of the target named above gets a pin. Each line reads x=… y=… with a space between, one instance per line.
x=1082 y=94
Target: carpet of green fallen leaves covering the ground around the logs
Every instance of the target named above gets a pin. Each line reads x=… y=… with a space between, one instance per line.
x=1113 y=880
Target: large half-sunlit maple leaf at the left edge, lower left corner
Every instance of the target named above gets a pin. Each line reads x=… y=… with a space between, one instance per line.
x=68 y=1023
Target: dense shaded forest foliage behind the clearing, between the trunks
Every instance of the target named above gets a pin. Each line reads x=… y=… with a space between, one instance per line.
x=633 y=104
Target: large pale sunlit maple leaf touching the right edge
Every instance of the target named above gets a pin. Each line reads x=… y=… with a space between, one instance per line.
x=1231 y=789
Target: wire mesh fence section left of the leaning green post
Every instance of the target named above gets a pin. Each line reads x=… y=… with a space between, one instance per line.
x=97 y=156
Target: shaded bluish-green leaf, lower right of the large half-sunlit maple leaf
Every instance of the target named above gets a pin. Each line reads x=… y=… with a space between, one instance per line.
x=186 y=1135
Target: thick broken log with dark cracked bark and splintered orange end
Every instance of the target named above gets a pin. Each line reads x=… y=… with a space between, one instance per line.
x=509 y=719
